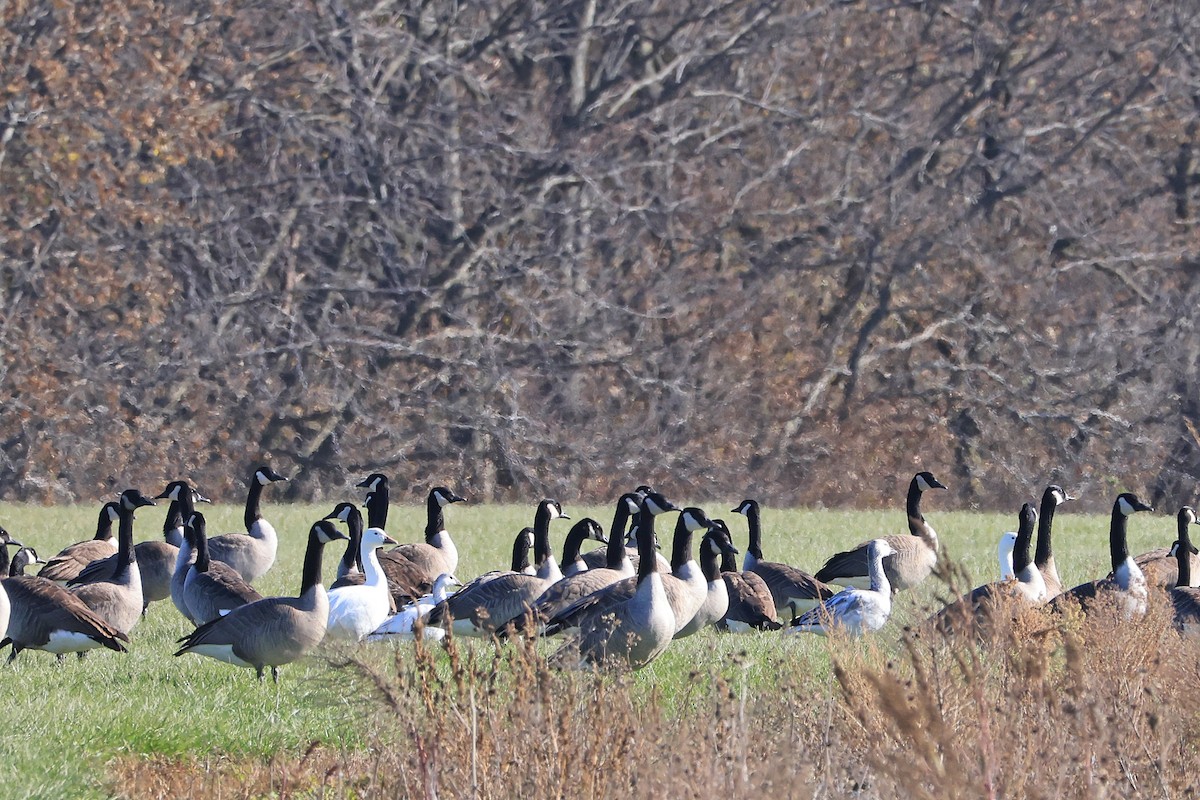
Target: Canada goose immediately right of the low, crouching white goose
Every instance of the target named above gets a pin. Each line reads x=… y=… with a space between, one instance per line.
x=490 y=607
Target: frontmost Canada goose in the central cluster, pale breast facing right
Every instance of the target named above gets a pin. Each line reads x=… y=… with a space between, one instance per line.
x=637 y=630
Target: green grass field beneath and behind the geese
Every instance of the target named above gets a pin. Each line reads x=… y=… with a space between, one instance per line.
x=83 y=729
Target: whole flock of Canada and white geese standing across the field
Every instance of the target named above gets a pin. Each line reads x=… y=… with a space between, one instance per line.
x=617 y=606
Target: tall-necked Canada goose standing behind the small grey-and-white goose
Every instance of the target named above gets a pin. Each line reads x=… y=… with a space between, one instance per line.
x=913 y=557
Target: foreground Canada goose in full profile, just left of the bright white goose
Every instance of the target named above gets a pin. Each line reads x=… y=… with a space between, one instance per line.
x=274 y=631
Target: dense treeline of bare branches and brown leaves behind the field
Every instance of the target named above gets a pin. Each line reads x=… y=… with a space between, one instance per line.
x=782 y=248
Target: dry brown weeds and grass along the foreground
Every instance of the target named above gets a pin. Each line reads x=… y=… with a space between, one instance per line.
x=1043 y=708
